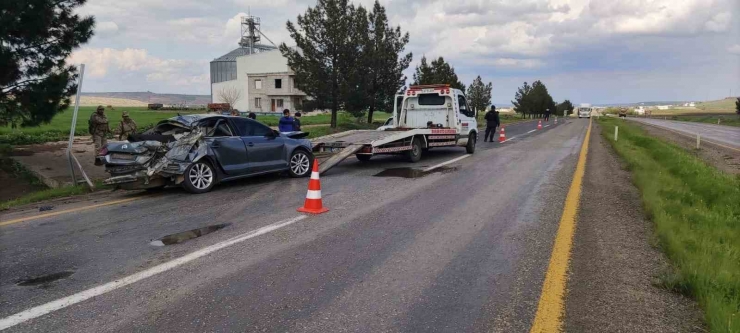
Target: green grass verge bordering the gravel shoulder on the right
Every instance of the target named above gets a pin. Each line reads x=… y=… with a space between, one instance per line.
x=695 y=211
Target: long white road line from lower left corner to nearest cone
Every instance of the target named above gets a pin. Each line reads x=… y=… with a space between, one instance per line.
x=61 y=303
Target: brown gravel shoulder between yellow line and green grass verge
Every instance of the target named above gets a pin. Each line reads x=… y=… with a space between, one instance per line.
x=614 y=269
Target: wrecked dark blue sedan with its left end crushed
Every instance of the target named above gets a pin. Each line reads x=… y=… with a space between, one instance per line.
x=199 y=151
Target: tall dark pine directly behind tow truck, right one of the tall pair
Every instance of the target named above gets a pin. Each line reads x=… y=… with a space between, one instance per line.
x=385 y=64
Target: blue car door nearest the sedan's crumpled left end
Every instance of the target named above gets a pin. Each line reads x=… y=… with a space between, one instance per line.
x=231 y=154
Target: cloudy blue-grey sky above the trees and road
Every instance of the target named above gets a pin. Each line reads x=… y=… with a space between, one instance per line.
x=597 y=51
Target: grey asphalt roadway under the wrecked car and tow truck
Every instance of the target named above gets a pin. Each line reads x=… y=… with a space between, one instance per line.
x=461 y=249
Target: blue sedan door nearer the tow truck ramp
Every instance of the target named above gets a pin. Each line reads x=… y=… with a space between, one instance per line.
x=266 y=149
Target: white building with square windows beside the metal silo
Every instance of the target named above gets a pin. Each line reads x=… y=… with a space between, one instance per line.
x=266 y=83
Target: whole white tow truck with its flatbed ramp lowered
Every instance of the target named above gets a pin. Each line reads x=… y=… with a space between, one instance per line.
x=425 y=116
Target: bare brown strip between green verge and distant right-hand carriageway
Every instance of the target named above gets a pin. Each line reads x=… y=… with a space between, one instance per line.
x=727 y=160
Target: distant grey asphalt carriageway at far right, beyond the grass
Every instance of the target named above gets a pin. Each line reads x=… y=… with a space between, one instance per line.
x=726 y=135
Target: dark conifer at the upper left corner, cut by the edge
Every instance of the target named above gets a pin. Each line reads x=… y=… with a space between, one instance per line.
x=36 y=38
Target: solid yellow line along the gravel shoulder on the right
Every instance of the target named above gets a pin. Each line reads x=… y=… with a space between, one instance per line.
x=550 y=309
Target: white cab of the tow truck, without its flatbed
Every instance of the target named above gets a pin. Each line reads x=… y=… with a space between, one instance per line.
x=435 y=106
